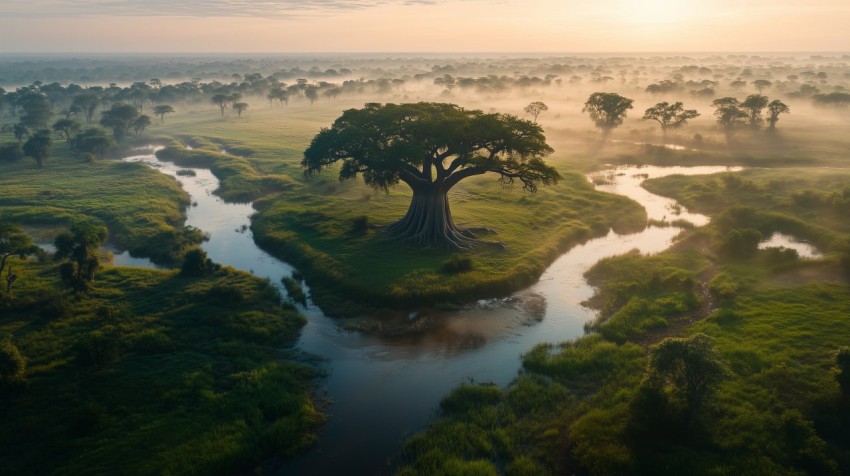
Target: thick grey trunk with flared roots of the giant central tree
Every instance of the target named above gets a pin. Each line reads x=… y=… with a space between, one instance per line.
x=428 y=221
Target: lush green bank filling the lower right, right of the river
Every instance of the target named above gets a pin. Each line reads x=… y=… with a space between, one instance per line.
x=775 y=321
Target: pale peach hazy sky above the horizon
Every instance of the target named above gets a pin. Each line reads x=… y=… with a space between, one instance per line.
x=418 y=26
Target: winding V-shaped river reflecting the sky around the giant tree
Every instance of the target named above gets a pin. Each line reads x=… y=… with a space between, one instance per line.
x=383 y=389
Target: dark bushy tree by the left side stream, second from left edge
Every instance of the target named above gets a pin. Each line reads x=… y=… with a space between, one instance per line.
x=80 y=247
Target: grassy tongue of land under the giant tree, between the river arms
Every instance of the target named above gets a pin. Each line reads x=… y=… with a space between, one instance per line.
x=312 y=223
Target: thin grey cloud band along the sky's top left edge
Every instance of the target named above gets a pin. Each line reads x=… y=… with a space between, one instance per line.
x=193 y=8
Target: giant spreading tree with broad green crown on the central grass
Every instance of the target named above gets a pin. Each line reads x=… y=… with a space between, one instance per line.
x=430 y=147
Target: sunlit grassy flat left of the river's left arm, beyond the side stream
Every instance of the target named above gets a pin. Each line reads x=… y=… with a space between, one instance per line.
x=142 y=208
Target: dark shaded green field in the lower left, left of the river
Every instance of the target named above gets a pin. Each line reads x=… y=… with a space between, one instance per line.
x=153 y=373
